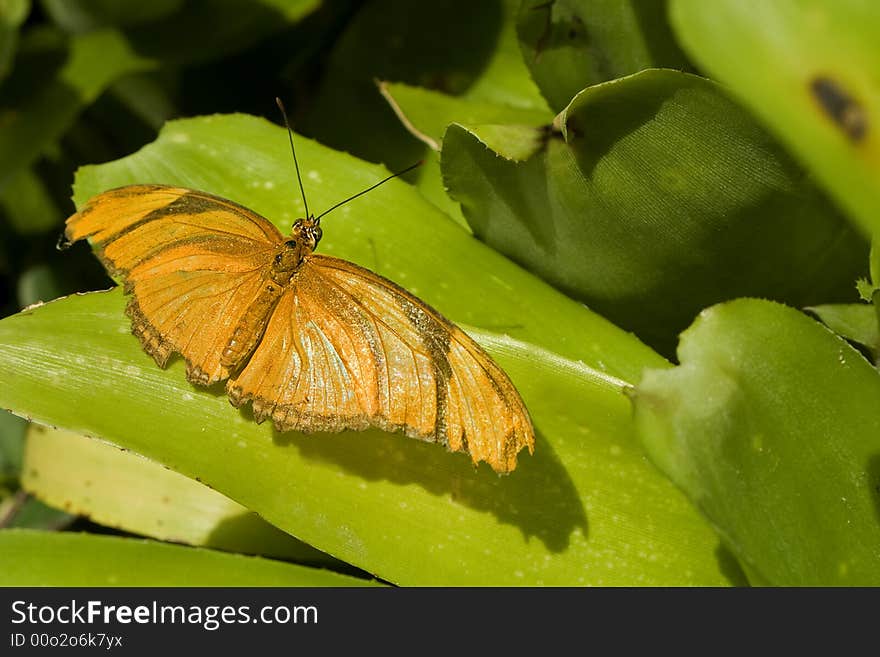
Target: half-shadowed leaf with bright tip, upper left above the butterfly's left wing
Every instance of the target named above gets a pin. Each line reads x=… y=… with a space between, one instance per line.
x=47 y=91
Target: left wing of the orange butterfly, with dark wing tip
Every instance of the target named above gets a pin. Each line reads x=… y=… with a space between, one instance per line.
x=193 y=263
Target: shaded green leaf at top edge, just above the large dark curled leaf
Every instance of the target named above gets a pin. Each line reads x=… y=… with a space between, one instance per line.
x=573 y=44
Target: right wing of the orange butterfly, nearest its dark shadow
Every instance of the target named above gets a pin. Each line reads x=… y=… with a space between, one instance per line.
x=347 y=349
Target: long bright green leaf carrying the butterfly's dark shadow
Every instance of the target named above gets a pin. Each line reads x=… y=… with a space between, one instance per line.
x=585 y=509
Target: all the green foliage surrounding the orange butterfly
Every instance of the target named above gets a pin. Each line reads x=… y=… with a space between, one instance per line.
x=601 y=176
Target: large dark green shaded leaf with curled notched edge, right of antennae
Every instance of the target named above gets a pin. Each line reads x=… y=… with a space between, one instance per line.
x=663 y=198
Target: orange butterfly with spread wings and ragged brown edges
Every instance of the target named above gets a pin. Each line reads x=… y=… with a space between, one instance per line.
x=314 y=342
